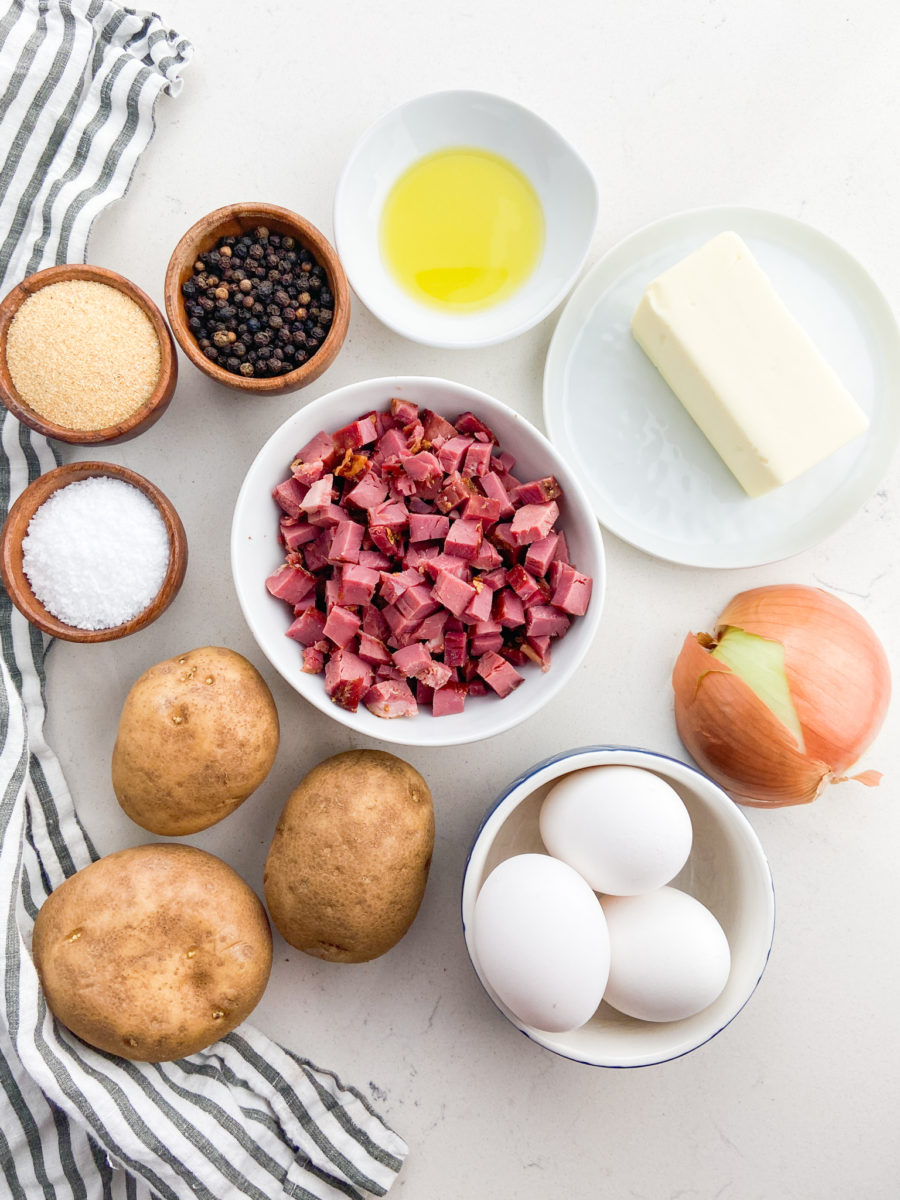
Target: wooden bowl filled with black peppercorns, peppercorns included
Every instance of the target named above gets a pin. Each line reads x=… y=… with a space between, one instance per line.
x=257 y=298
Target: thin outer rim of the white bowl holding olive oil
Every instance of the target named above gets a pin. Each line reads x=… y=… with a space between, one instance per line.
x=370 y=297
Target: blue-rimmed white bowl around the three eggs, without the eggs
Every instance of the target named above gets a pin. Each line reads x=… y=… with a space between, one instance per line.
x=727 y=871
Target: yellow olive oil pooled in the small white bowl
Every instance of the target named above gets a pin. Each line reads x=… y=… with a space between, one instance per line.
x=463 y=230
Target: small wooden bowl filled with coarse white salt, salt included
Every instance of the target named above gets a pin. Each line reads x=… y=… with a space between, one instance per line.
x=92 y=553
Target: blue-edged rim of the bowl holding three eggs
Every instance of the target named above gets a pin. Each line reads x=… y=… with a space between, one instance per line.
x=517 y=794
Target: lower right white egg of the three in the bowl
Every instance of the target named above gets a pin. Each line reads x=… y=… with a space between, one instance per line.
x=669 y=956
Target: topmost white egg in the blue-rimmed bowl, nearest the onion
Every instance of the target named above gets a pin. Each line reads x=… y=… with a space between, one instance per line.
x=623 y=829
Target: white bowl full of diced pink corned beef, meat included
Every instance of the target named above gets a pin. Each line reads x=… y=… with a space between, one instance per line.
x=417 y=561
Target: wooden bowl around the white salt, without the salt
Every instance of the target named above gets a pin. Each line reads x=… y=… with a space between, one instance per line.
x=16 y=527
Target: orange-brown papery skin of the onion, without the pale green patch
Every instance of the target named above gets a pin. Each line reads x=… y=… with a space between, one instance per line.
x=838 y=679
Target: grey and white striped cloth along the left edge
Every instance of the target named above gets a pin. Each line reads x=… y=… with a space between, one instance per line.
x=79 y=85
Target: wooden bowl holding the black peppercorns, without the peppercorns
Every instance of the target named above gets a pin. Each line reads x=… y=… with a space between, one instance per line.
x=236 y=220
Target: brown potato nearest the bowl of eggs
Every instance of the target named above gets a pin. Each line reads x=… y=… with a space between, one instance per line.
x=350 y=861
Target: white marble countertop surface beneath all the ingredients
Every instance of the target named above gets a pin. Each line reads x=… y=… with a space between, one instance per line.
x=790 y=107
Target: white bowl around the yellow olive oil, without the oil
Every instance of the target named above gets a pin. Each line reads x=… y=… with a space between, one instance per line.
x=562 y=179
